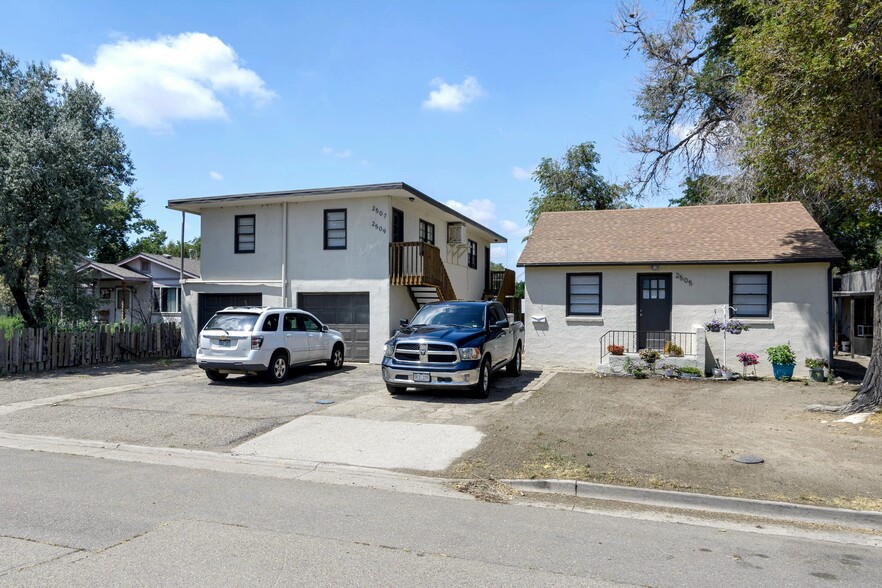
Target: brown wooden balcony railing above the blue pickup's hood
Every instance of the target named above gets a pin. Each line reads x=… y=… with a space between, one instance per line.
x=419 y=264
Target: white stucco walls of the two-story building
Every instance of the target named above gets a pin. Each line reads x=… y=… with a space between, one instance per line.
x=362 y=267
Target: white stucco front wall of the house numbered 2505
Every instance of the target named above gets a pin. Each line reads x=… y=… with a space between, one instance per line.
x=799 y=312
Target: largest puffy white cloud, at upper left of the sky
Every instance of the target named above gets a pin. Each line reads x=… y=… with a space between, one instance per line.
x=153 y=82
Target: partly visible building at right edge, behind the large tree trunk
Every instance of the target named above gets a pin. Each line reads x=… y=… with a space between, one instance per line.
x=854 y=311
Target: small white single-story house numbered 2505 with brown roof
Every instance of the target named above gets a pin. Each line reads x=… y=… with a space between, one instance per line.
x=644 y=277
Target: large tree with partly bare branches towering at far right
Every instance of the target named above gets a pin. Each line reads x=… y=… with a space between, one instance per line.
x=788 y=94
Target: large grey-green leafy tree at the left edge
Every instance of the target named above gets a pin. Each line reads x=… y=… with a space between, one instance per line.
x=62 y=161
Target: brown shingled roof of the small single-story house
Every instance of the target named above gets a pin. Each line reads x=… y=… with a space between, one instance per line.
x=727 y=233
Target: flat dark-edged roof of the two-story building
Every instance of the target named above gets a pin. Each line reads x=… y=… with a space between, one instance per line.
x=195 y=205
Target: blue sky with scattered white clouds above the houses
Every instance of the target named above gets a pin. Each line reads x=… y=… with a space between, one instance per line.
x=459 y=99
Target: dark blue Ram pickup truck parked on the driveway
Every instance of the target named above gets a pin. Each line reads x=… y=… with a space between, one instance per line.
x=453 y=345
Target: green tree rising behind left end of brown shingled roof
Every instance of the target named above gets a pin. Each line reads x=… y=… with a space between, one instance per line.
x=573 y=183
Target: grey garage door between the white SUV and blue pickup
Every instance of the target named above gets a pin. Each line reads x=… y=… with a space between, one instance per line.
x=348 y=313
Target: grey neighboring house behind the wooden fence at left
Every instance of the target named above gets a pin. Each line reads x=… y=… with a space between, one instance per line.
x=143 y=288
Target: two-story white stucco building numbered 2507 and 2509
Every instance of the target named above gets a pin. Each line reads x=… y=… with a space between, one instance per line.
x=358 y=257
